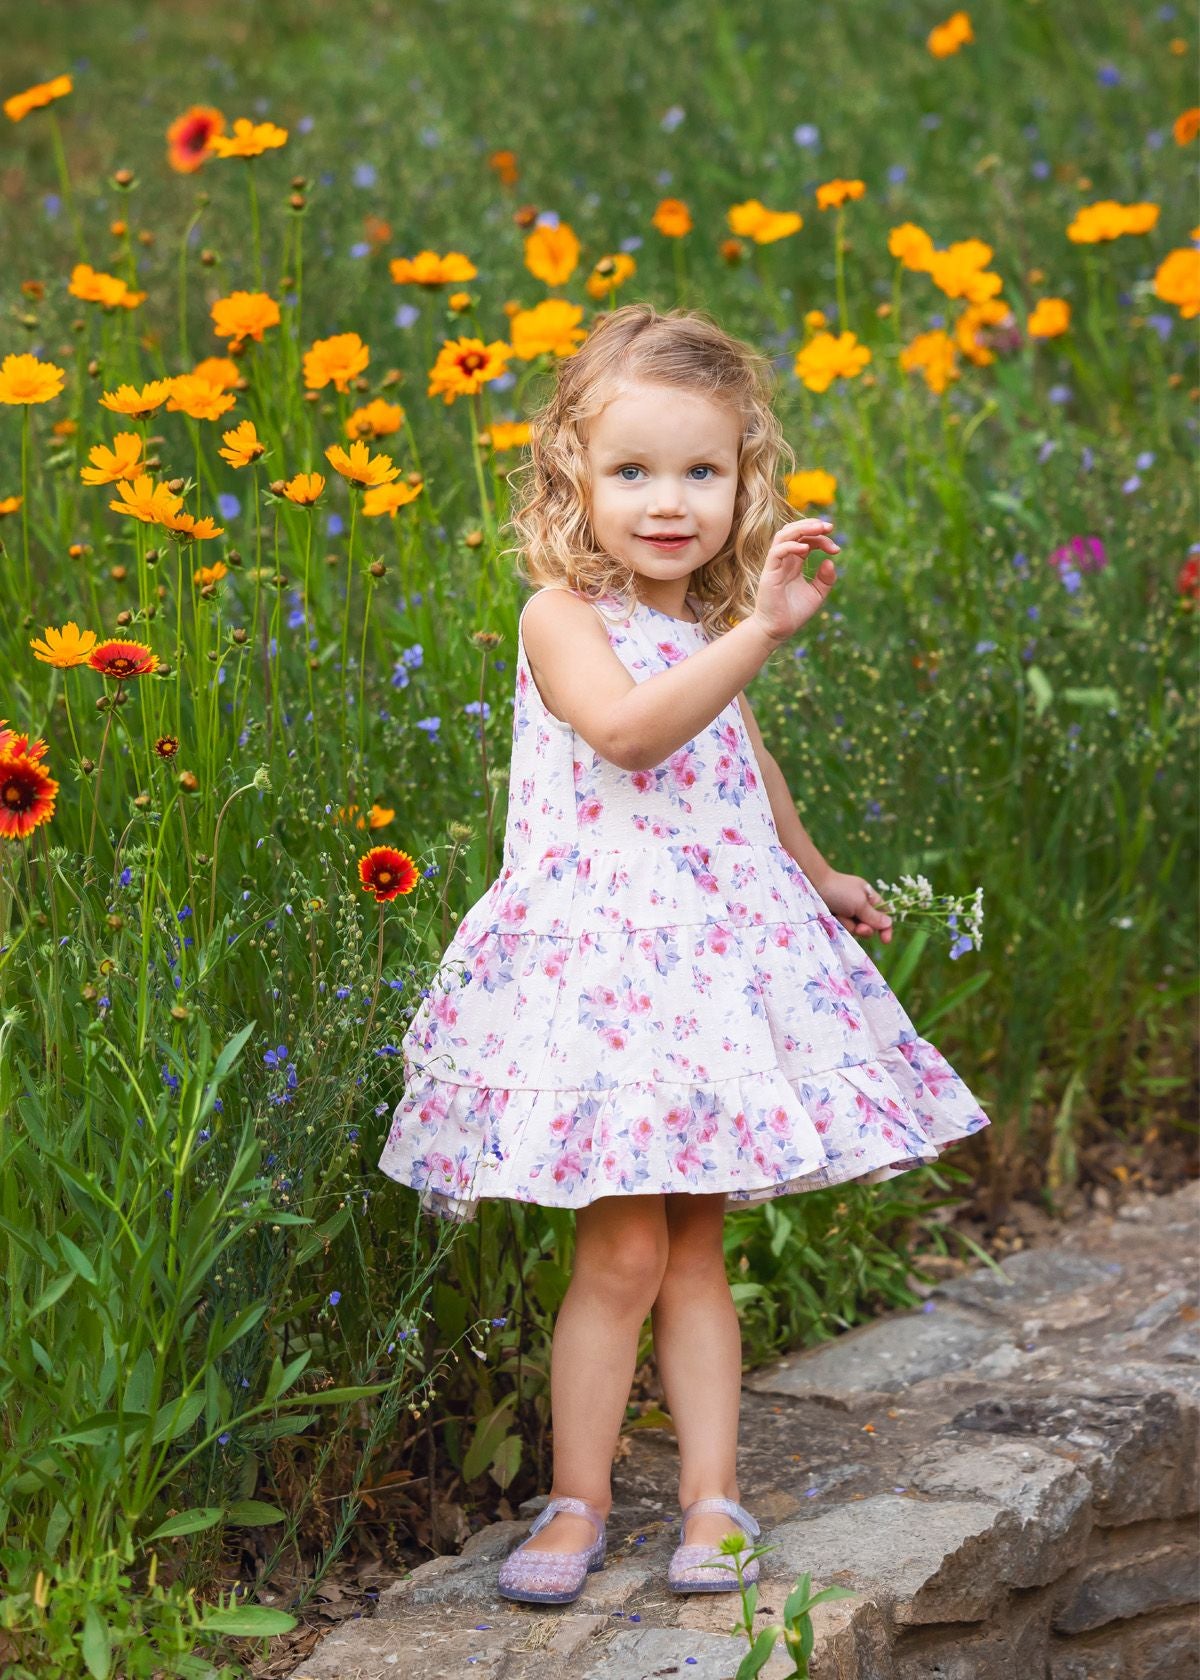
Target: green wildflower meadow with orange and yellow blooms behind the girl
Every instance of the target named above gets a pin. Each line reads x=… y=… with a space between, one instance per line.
x=282 y=285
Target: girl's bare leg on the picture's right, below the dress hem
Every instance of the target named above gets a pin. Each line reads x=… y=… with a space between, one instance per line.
x=698 y=1350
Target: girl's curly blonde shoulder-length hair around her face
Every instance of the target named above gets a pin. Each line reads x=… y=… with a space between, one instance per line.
x=552 y=490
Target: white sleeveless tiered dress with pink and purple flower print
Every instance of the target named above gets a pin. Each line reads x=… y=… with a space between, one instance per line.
x=651 y=997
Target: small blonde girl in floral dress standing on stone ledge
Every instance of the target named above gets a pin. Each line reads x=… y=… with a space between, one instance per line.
x=660 y=1005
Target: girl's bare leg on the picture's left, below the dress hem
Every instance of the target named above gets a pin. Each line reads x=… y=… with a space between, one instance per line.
x=621 y=1249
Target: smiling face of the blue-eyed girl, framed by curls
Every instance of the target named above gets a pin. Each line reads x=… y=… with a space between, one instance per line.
x=665 y=478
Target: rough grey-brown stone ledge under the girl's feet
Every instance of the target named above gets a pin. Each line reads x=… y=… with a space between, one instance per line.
x=1008 y=1478
